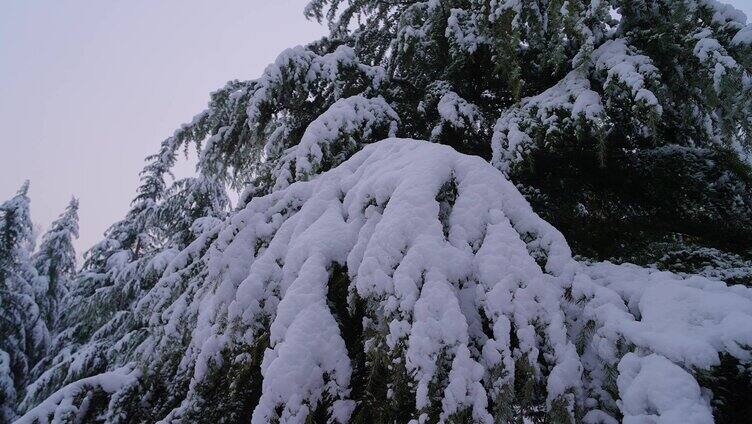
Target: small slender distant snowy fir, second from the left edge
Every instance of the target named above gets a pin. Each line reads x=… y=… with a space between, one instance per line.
x=55 y=262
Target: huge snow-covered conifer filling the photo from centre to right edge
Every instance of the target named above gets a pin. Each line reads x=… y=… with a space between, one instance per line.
x=361 y=280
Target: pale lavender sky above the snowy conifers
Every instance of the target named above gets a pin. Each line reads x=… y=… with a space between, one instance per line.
x=90 y=88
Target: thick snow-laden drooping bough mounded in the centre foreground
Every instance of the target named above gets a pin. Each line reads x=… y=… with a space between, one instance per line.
x=465 y=289
